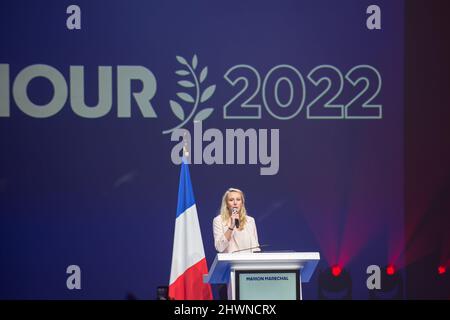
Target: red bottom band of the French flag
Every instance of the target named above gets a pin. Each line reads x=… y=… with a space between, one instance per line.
x=190 y=286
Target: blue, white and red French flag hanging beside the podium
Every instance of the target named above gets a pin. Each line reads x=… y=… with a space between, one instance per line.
x=188 y=256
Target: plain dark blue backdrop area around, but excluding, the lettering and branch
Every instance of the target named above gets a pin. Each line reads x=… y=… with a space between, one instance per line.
x=101 y=193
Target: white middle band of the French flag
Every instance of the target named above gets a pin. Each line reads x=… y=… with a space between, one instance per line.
x=187 y=243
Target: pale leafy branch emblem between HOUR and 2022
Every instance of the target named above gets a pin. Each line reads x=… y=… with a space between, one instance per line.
x=199 y=95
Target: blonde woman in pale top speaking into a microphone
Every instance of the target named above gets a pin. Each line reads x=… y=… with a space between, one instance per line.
x=233 y=229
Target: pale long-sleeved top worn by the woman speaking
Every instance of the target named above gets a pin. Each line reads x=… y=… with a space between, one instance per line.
x=240 y=239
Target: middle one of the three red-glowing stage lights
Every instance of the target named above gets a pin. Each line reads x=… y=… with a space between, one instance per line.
x=391 y=285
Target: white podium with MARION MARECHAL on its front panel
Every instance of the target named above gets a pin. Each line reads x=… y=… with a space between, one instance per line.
x=263 y=275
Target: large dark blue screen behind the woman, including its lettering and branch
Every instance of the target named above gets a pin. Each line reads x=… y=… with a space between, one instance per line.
x=93 y=98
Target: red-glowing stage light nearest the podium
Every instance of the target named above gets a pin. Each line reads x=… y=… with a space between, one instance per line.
x=335 y=284
